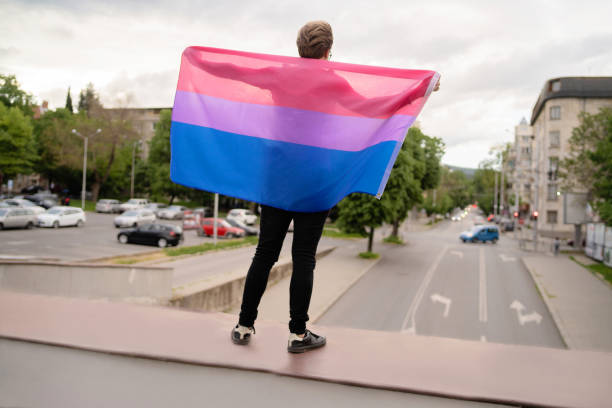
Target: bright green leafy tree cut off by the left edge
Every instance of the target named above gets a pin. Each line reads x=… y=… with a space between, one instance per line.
x=17 y=148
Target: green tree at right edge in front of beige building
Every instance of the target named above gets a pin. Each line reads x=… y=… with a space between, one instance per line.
x=588 y=165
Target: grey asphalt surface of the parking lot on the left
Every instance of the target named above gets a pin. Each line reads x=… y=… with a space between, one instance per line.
x=96 y=239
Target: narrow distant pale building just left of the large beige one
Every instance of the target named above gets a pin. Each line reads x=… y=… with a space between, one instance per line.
x=521 y=167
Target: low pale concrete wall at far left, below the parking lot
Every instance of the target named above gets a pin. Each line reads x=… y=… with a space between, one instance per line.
x=141 y=284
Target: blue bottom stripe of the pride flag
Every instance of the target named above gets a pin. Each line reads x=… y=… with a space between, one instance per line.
x=279 y=174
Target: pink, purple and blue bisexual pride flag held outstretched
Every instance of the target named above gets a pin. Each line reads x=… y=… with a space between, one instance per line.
x=293 y=133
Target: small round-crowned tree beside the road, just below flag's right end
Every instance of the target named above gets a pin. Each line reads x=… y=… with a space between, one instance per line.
x=358 y=211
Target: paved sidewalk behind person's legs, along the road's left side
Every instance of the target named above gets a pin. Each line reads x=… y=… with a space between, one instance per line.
x=333 y=276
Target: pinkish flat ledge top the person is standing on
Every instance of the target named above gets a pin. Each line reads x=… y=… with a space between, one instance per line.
x=468 y=370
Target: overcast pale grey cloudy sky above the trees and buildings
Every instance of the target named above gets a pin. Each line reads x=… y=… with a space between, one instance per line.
x=494 y=56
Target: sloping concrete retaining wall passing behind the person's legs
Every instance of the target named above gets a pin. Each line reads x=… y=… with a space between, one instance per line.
x=224 y=291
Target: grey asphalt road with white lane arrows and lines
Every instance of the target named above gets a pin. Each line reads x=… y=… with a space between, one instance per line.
x=438 y=286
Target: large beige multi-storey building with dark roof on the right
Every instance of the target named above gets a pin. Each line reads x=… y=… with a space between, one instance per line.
x=554 y=116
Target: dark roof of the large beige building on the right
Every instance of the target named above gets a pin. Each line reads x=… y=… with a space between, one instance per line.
x=573 y=87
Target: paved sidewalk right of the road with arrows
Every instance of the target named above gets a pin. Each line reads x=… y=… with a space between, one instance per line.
x=579 y=302
